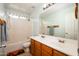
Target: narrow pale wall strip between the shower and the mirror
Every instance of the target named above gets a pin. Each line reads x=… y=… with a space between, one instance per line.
x=35 y=16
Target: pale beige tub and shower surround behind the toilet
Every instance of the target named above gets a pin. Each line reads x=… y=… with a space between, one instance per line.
x=18 y=33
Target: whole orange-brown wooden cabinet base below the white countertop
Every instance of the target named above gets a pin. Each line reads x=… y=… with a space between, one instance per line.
x=39 y=49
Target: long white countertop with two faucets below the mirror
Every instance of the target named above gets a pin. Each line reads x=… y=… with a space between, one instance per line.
x=69 y=46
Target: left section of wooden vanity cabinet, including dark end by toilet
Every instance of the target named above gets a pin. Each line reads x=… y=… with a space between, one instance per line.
x=35 y=49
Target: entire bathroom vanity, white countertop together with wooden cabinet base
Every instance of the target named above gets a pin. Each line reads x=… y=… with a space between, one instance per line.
x=51 y=46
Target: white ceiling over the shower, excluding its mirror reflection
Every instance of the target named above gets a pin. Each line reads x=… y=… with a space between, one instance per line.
x=25 y=7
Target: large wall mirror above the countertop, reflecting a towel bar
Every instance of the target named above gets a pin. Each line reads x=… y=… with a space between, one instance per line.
x=59 y=20
